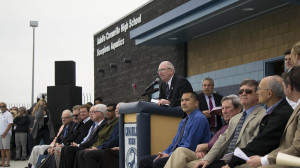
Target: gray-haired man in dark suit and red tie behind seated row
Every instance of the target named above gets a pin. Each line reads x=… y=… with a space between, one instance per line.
x=207 y=101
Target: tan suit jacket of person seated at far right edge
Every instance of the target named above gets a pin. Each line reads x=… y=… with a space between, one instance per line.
x=289 y=143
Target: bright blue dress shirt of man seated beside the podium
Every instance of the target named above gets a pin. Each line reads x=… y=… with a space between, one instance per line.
x=196 y=131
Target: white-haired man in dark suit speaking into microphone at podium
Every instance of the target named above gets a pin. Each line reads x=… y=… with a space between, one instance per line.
x=172 y=86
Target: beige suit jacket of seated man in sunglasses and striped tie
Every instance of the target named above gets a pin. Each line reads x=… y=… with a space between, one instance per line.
x=248 y=131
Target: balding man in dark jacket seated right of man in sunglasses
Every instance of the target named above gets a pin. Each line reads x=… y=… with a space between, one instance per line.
x=270 y=92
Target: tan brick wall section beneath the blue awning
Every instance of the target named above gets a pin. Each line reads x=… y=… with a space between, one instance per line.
x=260 y=38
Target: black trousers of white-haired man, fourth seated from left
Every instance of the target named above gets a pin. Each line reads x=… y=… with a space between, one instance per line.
x=69 y=155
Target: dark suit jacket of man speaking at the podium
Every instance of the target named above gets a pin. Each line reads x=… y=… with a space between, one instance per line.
x=179 y=85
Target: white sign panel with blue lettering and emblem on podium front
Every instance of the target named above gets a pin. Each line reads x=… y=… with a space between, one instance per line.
x=130 y=145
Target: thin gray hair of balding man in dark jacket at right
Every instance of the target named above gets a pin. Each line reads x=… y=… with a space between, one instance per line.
x=276 y=86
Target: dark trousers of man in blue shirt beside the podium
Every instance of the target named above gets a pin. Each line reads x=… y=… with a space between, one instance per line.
x=147 y=162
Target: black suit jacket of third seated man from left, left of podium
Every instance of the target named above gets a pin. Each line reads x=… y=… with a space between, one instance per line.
x=81 y=132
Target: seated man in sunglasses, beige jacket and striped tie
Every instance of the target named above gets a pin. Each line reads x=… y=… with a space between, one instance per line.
x=241 y=129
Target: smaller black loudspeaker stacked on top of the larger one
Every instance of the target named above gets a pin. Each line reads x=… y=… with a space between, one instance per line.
x=65 y=73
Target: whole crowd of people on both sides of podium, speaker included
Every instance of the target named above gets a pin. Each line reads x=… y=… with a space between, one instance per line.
x=261 y=121
